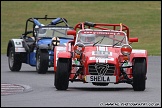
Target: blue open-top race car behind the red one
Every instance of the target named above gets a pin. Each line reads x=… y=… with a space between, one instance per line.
x=36 y=45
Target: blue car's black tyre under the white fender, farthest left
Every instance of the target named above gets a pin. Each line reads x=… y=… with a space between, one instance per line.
x=14 y=60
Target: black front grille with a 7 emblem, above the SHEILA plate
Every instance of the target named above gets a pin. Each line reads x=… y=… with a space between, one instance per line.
x=101 y=69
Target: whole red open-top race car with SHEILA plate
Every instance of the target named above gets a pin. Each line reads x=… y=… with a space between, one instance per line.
x=100 y=54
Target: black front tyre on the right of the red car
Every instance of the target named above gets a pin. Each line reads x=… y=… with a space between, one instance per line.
x=139 y=74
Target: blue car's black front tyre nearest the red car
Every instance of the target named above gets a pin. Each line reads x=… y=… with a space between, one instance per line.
x=42 y=61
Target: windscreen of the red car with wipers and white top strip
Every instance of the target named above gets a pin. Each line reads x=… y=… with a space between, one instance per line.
x=116 y=38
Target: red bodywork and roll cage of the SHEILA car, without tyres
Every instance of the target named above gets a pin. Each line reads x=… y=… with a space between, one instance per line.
x=115 y=59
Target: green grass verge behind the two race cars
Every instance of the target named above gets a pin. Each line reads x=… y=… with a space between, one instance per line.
x=142 y=17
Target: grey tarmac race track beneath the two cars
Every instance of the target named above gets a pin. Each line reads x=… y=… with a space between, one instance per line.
x=27 y=88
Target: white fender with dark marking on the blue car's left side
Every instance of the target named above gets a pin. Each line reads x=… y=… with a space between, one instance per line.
x=17 y=44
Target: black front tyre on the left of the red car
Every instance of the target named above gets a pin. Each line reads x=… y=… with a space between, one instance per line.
x=62 y=74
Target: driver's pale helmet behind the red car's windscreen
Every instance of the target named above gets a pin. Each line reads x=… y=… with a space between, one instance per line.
x=87 y=38
